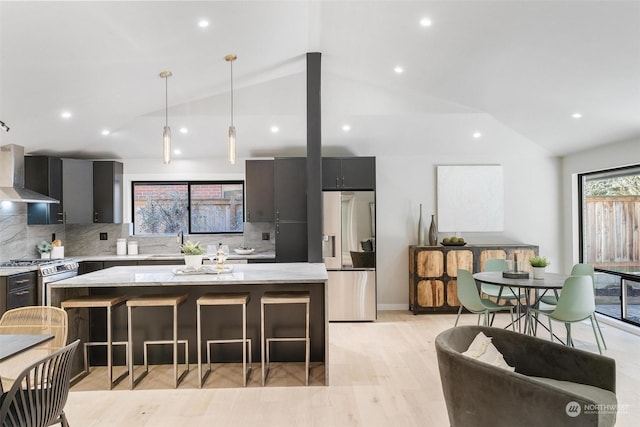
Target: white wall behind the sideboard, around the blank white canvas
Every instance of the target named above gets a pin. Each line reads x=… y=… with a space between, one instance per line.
x=532 y=210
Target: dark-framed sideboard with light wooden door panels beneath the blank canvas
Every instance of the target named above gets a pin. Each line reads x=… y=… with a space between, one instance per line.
x=433 y=271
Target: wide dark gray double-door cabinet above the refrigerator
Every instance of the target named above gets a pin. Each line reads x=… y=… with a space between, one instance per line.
x=348 y=173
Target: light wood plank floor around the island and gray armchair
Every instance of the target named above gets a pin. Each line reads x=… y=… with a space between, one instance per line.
x=383 y=373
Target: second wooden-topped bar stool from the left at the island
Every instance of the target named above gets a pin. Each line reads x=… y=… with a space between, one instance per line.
x=158 y=301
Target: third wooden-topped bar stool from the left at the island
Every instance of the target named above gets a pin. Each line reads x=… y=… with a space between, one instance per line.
x=218 y=300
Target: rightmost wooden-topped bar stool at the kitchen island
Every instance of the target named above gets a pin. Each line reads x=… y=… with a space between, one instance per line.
x=293 y=297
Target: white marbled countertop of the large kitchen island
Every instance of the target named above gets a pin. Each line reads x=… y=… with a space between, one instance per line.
x=170 y=275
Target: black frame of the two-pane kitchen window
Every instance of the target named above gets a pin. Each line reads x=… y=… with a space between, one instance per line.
x=188 y=183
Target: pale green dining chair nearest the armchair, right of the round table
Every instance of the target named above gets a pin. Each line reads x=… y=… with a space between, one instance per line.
x=575 y=304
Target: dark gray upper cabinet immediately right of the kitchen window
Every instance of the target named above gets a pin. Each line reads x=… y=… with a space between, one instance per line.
x=259 y=188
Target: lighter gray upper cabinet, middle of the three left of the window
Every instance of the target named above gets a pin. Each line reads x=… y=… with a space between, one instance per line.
x=77 y=191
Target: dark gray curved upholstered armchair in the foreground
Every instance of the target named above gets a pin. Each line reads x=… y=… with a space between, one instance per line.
x=553 y=385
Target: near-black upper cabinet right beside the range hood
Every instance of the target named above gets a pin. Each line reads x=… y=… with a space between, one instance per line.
x=44 y=175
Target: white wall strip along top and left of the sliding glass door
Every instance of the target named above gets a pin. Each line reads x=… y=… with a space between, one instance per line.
x=605 y=157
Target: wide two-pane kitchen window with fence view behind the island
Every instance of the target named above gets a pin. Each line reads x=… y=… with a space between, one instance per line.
x=192 y=207
